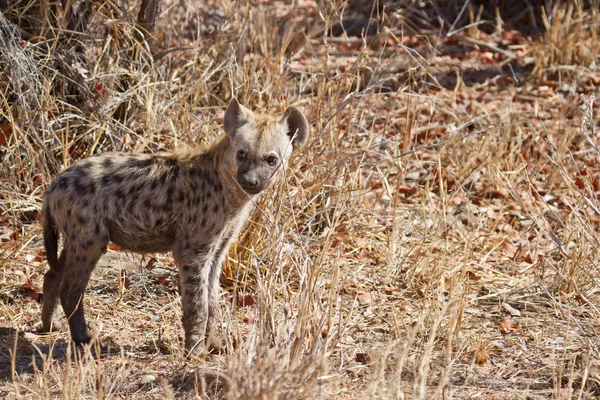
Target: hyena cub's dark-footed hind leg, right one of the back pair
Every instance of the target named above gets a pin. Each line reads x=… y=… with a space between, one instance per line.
x=79 y=264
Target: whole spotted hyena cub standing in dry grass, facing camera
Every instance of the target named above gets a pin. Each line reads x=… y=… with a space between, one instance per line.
x=192 y=204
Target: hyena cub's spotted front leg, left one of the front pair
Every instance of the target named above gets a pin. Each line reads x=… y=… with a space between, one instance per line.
x=194 y=270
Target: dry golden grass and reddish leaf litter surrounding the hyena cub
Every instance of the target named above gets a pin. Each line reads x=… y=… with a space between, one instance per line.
x=437 y=237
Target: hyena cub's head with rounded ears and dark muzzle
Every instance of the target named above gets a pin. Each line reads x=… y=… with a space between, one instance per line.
x=261 y=145
